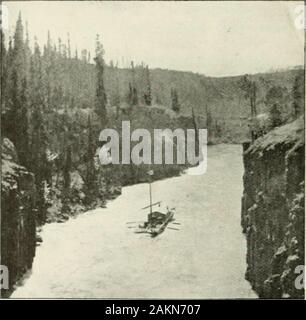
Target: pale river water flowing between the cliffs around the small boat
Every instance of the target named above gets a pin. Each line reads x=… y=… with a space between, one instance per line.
x=96 y=255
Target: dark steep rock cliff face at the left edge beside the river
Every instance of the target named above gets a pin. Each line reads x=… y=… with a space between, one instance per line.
x=18 y=239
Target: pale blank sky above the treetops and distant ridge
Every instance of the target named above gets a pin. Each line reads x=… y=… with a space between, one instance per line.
x=212 y=38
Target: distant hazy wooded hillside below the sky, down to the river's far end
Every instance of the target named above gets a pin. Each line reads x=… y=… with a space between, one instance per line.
x=221 y=98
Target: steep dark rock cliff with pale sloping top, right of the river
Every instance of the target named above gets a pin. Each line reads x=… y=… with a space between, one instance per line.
x=273 y=210
